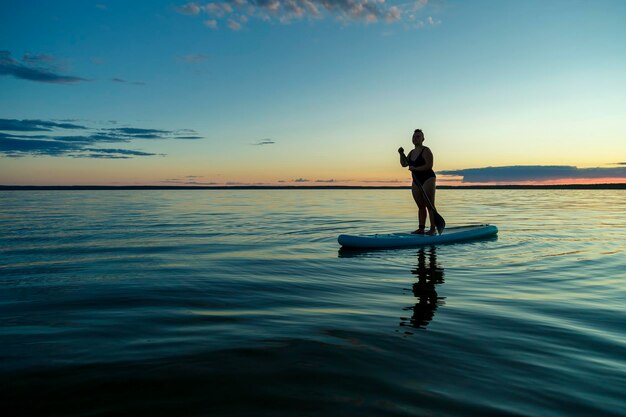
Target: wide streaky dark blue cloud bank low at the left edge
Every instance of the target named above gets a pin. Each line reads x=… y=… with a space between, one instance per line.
x=51 y=139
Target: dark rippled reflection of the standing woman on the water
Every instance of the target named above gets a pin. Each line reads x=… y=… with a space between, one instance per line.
x=428 y=274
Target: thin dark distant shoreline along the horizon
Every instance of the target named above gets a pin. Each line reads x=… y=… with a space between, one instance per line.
x=311 y=187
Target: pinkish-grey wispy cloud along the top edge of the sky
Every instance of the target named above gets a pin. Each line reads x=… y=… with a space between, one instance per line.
x=237 y=12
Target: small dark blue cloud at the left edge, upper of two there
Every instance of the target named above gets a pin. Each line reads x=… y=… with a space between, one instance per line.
x=41 y=68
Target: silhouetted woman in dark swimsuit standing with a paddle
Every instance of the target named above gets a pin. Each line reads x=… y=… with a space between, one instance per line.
x=420 y=163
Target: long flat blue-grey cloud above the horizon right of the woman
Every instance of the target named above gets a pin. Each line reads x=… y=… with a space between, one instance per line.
x=520 y=173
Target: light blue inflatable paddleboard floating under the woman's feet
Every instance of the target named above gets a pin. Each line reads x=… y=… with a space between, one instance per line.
x=405 y=239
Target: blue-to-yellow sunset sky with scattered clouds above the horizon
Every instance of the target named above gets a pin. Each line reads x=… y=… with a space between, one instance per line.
x=311 y=92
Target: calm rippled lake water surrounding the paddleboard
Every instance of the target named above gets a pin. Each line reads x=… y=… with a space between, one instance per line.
x=239 y=303
